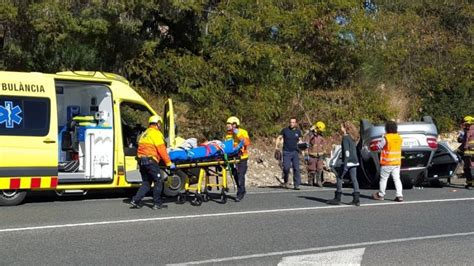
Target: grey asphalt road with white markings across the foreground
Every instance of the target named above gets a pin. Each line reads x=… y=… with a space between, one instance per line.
x=269 y=227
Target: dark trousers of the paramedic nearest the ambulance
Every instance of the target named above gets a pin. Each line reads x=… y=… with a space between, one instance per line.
x=150 y=174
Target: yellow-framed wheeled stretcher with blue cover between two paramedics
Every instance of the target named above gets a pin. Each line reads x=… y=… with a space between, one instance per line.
x=206 y=167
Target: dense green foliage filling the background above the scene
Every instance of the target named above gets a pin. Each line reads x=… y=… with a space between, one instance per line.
x=262 y=60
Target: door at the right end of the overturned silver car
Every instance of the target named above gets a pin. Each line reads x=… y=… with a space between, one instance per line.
x=444 y=162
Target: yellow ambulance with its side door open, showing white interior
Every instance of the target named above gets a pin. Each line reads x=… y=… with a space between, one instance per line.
x=70 y=132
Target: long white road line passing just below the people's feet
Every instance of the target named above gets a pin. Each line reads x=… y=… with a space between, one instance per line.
x=210 y=215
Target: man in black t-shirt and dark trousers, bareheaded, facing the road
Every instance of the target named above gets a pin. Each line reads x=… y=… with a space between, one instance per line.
x=290 y=137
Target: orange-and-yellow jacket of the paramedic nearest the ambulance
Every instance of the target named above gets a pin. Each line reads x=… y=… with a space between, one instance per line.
x=152 y=144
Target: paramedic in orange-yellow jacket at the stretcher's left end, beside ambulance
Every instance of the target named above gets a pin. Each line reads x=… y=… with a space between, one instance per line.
x=151 y=151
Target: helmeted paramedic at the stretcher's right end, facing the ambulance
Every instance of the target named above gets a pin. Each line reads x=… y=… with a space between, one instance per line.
x=238 y=134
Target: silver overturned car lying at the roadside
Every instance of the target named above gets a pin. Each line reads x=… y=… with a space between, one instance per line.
x=424 y=160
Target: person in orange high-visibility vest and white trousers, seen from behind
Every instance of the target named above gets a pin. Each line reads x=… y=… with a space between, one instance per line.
x=390 y=161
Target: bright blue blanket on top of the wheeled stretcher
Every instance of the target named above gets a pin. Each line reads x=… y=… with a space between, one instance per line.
x=205 y=152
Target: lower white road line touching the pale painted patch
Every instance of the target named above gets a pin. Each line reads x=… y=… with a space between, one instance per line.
x=344 y=246
